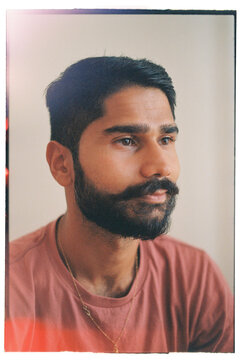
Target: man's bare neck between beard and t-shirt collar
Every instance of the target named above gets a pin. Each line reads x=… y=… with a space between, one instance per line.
x=103 y=263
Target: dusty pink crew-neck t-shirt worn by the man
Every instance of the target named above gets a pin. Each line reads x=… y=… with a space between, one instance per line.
x=182 y=302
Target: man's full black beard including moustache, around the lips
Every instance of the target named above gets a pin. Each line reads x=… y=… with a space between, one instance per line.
x=125 y=214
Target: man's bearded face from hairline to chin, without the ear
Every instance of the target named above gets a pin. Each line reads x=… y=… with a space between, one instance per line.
x=127 y=169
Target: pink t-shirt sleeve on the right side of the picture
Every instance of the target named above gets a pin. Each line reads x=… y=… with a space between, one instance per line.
x=211 y=320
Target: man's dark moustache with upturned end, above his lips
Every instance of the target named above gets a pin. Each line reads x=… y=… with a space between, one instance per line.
x=147 y=188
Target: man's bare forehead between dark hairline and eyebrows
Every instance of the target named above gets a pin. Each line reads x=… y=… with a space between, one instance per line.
x=134 y=105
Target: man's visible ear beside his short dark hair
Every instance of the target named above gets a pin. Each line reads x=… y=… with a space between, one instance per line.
x=60 y=163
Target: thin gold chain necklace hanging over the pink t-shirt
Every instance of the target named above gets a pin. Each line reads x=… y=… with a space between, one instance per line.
x=87 y=310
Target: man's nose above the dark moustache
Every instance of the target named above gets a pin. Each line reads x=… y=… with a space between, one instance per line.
x=156 y=162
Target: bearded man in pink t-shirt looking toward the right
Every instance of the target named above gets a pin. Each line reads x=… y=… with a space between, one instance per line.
x=104 y=277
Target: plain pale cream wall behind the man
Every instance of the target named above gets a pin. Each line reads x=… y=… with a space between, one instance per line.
x=198 y=53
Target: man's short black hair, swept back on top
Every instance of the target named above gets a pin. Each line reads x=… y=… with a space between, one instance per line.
x=76 y=98
